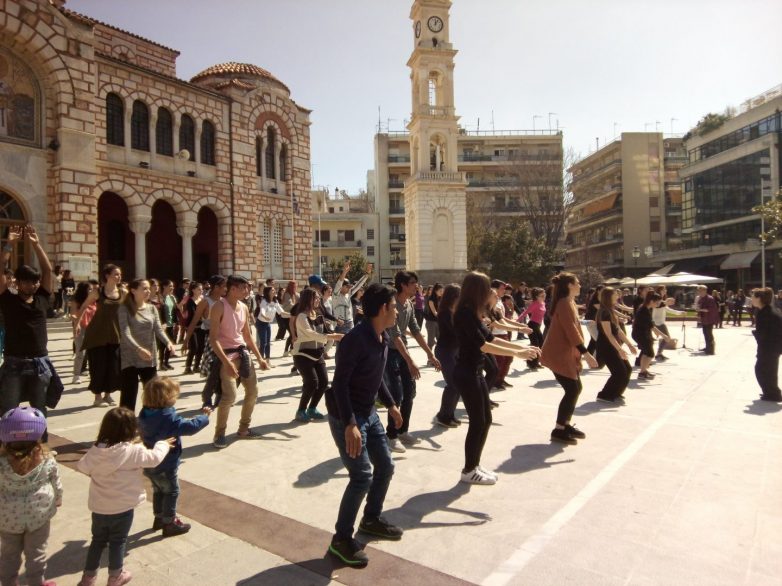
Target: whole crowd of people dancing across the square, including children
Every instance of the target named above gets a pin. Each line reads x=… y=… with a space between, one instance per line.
x=125 y=334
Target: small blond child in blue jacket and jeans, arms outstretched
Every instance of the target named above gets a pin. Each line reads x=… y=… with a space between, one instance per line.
x=159 y=420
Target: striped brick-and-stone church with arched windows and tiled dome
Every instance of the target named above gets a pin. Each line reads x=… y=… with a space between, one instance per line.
x=115 y=159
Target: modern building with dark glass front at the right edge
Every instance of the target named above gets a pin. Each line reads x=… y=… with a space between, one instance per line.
x=730 y=170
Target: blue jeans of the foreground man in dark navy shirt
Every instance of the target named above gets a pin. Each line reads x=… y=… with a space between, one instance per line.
x=364 y=481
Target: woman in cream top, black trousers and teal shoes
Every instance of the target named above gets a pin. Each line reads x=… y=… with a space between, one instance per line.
x=308 y=351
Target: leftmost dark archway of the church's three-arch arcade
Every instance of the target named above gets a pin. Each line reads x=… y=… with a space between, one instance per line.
x=115 y=240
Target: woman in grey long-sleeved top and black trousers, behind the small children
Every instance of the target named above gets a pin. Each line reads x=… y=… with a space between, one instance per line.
x=139 y=326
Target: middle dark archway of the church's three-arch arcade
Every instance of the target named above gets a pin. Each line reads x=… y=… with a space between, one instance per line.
x=164 y=245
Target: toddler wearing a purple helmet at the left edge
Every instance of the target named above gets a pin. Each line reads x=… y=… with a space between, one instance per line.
x=30 y=492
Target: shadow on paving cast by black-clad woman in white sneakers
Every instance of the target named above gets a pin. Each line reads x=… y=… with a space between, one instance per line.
x=410 y=515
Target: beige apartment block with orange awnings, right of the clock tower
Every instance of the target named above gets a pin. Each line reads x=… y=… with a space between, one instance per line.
x=626 y=195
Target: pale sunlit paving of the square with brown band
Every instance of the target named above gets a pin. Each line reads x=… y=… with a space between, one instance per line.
x=680 y=486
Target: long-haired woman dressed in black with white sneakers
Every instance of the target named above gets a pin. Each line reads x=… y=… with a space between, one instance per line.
x=475 y=339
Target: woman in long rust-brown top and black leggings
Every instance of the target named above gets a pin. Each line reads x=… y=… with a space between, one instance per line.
x=563 y=351
